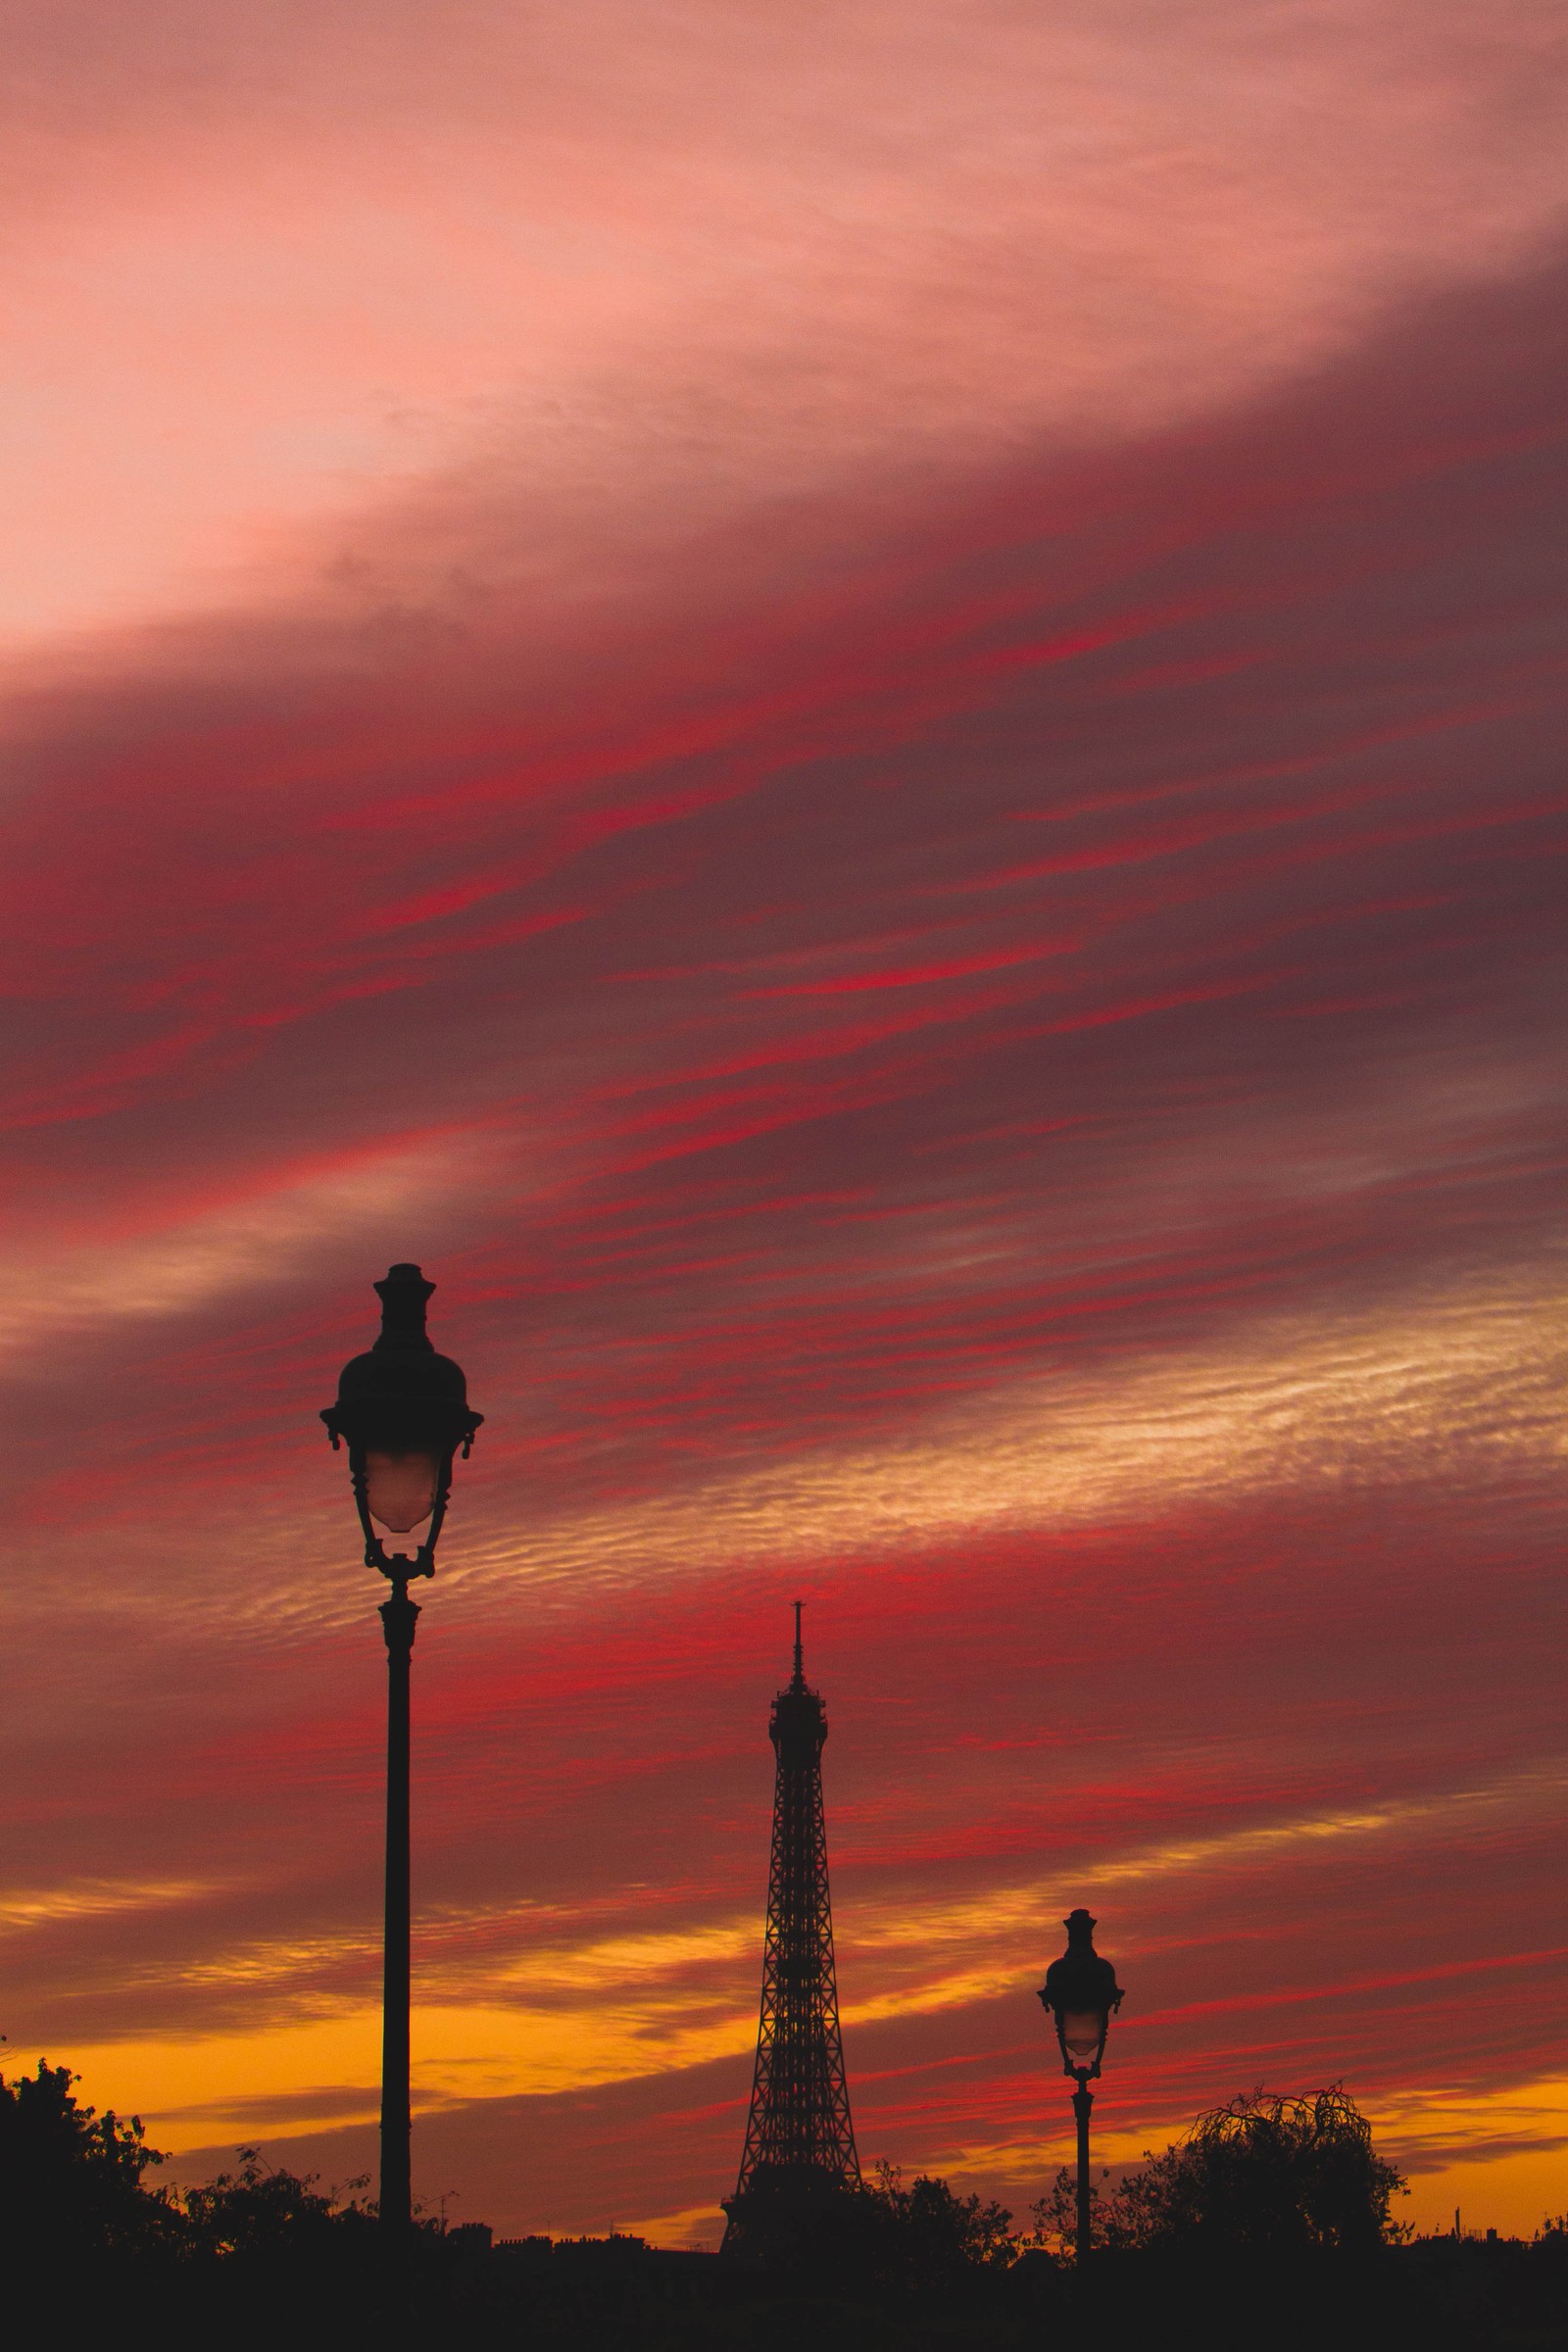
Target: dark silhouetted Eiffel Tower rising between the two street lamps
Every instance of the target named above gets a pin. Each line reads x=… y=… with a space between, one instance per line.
x=798 y=2137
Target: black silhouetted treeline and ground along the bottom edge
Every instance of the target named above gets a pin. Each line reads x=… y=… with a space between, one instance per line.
x=1271 y=2224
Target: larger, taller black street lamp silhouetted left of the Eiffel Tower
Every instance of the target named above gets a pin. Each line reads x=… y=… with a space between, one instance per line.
x=403 y=1415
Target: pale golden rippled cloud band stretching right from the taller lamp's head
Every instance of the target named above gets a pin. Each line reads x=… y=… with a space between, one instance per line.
x=1463 y=1382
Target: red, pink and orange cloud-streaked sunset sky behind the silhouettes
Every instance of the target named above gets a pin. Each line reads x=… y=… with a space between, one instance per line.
x=857 y=711
